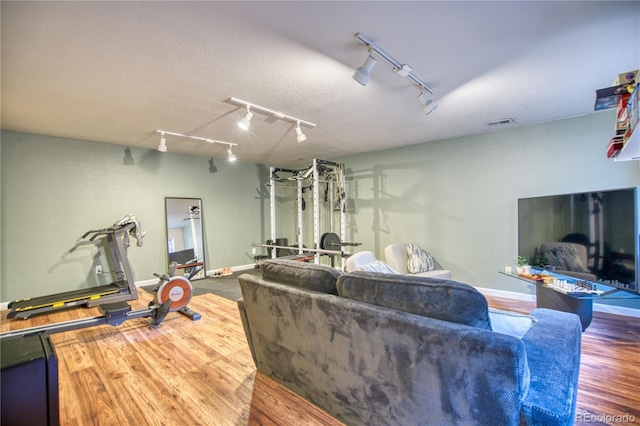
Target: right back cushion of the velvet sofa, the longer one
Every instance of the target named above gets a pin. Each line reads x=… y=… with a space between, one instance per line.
x=442 y=299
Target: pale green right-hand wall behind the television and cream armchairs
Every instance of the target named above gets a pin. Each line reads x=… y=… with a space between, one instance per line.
x=458 y=198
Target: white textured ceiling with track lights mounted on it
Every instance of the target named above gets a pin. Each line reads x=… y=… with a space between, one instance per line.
x=116 y=71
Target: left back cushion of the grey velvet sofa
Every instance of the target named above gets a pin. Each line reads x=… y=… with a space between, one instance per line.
x=305 y=275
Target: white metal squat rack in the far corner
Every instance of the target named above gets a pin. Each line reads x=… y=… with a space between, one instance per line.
x=321 y=171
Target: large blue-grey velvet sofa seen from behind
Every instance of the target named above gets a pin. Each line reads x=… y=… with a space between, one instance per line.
x=378 y=349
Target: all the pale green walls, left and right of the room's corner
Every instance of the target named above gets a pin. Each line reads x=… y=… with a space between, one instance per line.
x=457 y=198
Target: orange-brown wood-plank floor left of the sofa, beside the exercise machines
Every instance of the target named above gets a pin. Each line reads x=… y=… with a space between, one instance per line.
x=183 y=373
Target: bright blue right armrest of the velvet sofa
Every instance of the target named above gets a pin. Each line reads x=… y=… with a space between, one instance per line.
x=553 y=354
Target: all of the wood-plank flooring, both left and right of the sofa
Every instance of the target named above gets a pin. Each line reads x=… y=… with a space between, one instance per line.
x=201 y=373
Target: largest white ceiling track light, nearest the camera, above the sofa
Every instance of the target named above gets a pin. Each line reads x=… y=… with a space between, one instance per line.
x=361 y=75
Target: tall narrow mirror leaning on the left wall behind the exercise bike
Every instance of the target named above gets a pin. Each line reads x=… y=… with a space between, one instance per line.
x=185 y=243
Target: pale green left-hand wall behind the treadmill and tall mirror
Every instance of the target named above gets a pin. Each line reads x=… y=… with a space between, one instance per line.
x=55 y=189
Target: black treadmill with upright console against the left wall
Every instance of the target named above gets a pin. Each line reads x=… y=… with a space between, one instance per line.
x=123 y=289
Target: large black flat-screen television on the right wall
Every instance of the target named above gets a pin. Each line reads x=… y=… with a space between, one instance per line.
x=588 y=235
